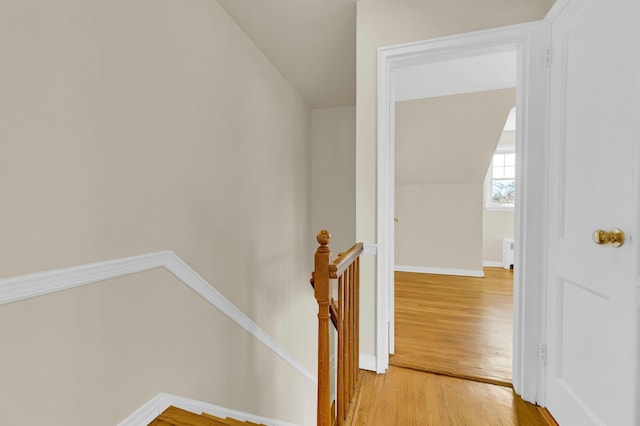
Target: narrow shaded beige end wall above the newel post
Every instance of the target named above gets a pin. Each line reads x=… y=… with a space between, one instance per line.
x=333 y=203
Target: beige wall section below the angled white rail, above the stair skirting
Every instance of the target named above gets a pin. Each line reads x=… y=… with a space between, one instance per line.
x=140 y=335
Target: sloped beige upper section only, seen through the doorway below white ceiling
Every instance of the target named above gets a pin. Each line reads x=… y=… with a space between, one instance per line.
x=449 y=139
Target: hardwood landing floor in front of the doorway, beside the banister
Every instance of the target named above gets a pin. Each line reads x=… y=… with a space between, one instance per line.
x=405 y=397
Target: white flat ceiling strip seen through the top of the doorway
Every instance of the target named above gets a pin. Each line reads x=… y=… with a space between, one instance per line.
x=465 y=75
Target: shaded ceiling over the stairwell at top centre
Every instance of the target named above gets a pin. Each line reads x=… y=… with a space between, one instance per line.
x=311 y=42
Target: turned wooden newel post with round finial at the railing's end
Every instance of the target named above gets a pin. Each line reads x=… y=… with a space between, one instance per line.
x=323 y=297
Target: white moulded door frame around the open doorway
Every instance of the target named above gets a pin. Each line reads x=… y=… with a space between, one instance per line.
x=530 y=41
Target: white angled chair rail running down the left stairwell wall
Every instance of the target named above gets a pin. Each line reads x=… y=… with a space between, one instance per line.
x=41 y=283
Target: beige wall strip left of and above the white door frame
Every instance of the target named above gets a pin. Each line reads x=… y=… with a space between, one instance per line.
x=384 y=23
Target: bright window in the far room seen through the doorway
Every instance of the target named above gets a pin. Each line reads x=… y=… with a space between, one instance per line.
x=500 y=190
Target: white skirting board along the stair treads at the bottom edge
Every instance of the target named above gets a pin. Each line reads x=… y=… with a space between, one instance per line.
x=150 y=410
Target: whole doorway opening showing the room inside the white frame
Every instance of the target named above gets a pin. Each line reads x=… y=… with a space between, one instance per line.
x=455 y=185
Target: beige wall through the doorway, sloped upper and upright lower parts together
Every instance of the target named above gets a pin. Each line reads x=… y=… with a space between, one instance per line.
x=443 y=147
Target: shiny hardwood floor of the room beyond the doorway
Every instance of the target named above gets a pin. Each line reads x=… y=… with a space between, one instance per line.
x=459 y=326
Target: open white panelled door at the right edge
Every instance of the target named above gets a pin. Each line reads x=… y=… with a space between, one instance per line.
x=592 y=292
